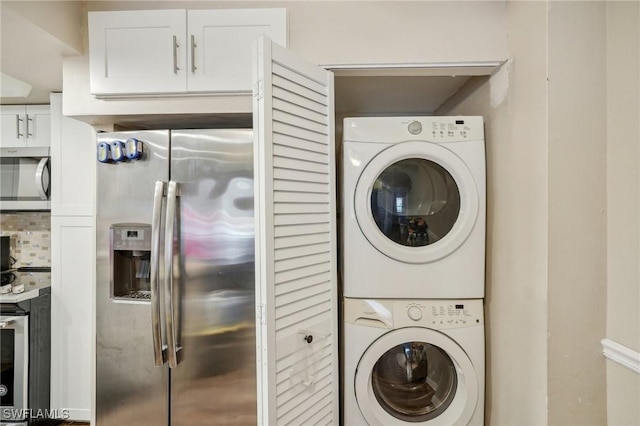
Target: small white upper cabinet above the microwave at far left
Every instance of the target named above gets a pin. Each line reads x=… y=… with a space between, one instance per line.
x=25 y=126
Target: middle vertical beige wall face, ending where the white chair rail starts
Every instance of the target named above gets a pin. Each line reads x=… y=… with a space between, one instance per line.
x=577 y=212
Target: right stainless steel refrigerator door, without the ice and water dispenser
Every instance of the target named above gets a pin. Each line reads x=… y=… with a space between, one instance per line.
x=213 y=278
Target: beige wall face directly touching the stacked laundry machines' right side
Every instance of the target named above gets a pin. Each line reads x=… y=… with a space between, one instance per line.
x=514 y=104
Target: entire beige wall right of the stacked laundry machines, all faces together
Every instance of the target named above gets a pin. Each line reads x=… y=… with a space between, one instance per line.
x=571 y=147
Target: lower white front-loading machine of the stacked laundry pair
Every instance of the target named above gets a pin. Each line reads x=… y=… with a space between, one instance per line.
x=413 y=362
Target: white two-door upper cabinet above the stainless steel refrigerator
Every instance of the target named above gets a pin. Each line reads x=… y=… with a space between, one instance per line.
x=158 y=52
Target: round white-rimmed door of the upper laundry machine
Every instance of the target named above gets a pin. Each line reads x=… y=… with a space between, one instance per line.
x=416 y=202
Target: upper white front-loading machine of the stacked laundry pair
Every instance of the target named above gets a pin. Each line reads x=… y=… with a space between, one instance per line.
x=413 y=207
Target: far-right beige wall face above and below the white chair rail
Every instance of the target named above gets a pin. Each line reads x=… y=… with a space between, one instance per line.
x=623 y=204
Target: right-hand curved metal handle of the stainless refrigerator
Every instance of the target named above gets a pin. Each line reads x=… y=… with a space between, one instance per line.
x=169 y=306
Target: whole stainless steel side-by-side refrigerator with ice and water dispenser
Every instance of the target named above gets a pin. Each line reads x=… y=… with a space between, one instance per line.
x=175 y=296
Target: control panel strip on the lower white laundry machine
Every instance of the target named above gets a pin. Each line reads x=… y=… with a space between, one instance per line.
x=438 y=314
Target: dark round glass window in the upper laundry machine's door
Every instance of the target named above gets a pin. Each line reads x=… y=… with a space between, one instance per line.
x=415 y=202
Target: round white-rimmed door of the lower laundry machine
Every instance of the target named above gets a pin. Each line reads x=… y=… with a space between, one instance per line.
x=418 y=376
